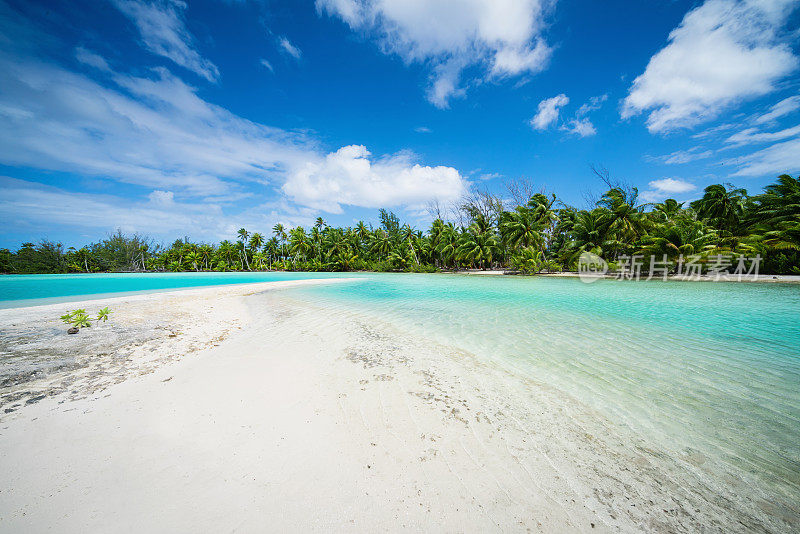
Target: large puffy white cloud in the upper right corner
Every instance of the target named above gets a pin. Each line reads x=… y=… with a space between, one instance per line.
x=723 y=52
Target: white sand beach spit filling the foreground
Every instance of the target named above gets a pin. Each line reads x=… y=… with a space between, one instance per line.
x=241 y=408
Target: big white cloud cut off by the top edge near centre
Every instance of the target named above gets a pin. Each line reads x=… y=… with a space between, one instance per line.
x=504 y=36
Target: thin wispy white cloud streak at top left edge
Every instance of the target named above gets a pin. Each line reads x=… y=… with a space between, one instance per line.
x=163 y=32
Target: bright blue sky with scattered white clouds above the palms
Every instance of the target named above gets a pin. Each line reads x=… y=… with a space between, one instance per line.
x=195 y=118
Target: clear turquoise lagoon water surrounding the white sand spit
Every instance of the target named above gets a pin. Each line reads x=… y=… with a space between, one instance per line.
x=696 y=367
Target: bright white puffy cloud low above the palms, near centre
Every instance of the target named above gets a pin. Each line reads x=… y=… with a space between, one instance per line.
x=350 y=176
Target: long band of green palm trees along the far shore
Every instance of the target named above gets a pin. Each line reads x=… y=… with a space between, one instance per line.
x=533 y=233
